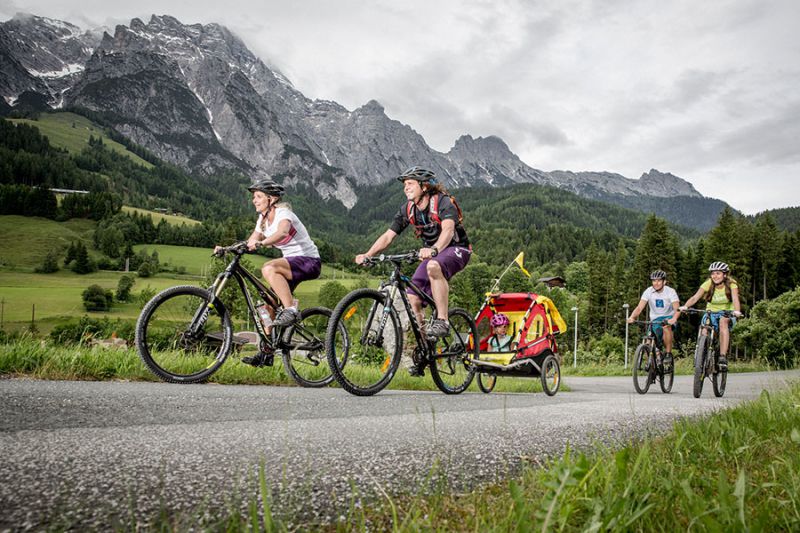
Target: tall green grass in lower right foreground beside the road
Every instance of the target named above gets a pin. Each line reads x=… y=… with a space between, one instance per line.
x=738 y=470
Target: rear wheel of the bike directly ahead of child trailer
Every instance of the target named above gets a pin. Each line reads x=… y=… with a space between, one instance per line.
x=452 y=369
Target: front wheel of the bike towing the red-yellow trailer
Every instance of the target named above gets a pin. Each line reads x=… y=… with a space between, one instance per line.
x=364 y=342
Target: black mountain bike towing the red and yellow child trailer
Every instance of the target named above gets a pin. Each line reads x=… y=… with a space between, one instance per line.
x=364 y=340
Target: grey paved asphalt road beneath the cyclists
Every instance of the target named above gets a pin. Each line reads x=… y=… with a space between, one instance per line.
x=79 y=452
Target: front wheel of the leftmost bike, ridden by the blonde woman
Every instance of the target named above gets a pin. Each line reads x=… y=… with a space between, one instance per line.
x=182 y=336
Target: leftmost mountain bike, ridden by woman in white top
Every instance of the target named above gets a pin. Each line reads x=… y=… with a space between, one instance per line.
x=184 y=334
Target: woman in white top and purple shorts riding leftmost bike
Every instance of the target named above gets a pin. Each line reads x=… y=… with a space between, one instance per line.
x=278 y=226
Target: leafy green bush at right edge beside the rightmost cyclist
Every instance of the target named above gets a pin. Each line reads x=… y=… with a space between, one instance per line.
x=773 y=329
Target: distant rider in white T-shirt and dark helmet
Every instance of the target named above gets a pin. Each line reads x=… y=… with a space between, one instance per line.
x=663 y=302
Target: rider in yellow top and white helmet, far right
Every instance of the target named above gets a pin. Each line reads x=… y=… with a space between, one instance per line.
x=721 y=294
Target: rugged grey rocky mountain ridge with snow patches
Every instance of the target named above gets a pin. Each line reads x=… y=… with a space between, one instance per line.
x=196 y=96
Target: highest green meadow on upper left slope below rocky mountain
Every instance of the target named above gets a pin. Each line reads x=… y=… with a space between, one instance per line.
x=71 y=132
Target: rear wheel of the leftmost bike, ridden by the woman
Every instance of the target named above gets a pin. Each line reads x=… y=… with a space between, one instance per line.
x=304 y=356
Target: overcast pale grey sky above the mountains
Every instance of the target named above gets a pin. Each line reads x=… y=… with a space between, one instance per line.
x=709 y=91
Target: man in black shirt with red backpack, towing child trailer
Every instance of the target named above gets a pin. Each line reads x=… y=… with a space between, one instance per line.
x=446 y=249
